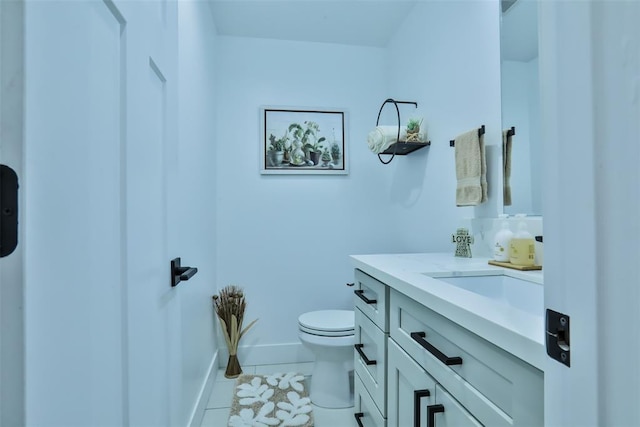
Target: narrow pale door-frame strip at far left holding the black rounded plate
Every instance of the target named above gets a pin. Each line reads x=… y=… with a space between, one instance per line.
x=11 y=304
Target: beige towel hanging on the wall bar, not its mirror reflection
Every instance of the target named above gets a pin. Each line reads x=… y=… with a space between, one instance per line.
x=471 y=169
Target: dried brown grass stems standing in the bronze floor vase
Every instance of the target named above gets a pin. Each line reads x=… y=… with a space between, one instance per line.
x=230 y=306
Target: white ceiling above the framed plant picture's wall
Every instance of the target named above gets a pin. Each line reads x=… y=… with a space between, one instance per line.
x=352 y=22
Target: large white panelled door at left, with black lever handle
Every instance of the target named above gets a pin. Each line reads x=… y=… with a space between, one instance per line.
x=102 y=320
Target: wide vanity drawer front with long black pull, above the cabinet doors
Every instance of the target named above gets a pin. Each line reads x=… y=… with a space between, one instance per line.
x=497 y=387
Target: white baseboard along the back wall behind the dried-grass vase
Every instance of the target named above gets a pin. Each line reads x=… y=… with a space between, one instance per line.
x=271 y=354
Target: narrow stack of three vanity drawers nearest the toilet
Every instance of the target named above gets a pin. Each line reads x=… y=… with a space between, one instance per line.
x=370 y=353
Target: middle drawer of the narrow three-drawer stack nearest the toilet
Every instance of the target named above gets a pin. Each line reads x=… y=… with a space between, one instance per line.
x=371 y=359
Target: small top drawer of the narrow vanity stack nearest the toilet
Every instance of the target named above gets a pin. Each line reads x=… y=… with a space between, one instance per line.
x=371 y=297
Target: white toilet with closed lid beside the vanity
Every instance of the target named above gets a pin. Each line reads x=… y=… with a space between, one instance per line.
x=329 y=335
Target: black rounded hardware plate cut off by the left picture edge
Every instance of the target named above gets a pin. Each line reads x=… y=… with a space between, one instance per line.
x=8 y=210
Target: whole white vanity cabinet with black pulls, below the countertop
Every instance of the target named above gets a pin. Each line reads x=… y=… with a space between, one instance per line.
x=431 y=372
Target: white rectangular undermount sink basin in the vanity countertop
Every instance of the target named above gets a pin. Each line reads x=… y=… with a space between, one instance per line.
x=517 y=293
